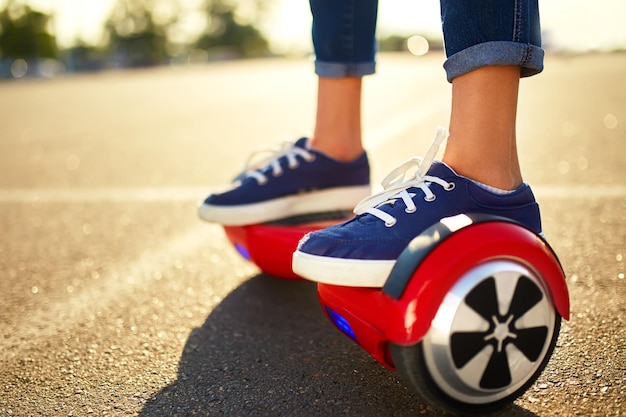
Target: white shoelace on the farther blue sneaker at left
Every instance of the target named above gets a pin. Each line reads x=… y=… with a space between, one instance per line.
x=254 y=164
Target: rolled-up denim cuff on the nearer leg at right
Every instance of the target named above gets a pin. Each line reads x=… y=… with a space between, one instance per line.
x=528 y=57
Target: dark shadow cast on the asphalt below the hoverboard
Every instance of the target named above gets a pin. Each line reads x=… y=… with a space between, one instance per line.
x=267 y=350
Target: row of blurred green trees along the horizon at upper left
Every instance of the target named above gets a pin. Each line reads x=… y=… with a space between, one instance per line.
x=141 y=33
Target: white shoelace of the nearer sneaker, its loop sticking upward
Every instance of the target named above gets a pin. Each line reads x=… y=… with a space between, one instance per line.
x=395 y=184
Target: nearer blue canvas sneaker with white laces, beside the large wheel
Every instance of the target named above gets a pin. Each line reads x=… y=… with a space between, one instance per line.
x=362 y=251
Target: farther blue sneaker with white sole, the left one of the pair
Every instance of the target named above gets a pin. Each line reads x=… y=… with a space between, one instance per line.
x=292 y=181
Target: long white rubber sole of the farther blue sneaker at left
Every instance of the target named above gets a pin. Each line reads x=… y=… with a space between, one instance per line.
x=341 y=198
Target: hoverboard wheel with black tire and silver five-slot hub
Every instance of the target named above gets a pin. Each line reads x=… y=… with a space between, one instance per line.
x=463 y=364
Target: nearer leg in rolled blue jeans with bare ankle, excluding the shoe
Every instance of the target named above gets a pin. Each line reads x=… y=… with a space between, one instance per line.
x=484 y=65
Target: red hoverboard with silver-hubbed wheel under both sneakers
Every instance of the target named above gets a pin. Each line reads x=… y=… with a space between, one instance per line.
x=469 y=315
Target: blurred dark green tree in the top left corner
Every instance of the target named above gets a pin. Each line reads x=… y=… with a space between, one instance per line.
x=25 y=34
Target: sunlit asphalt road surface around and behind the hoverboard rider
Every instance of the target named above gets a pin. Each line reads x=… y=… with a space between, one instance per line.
x=117 y=300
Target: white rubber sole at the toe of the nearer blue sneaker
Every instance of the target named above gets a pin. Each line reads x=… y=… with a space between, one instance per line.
x=339 y=271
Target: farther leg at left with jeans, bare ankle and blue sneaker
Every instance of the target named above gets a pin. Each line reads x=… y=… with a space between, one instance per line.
x=329 y=171
